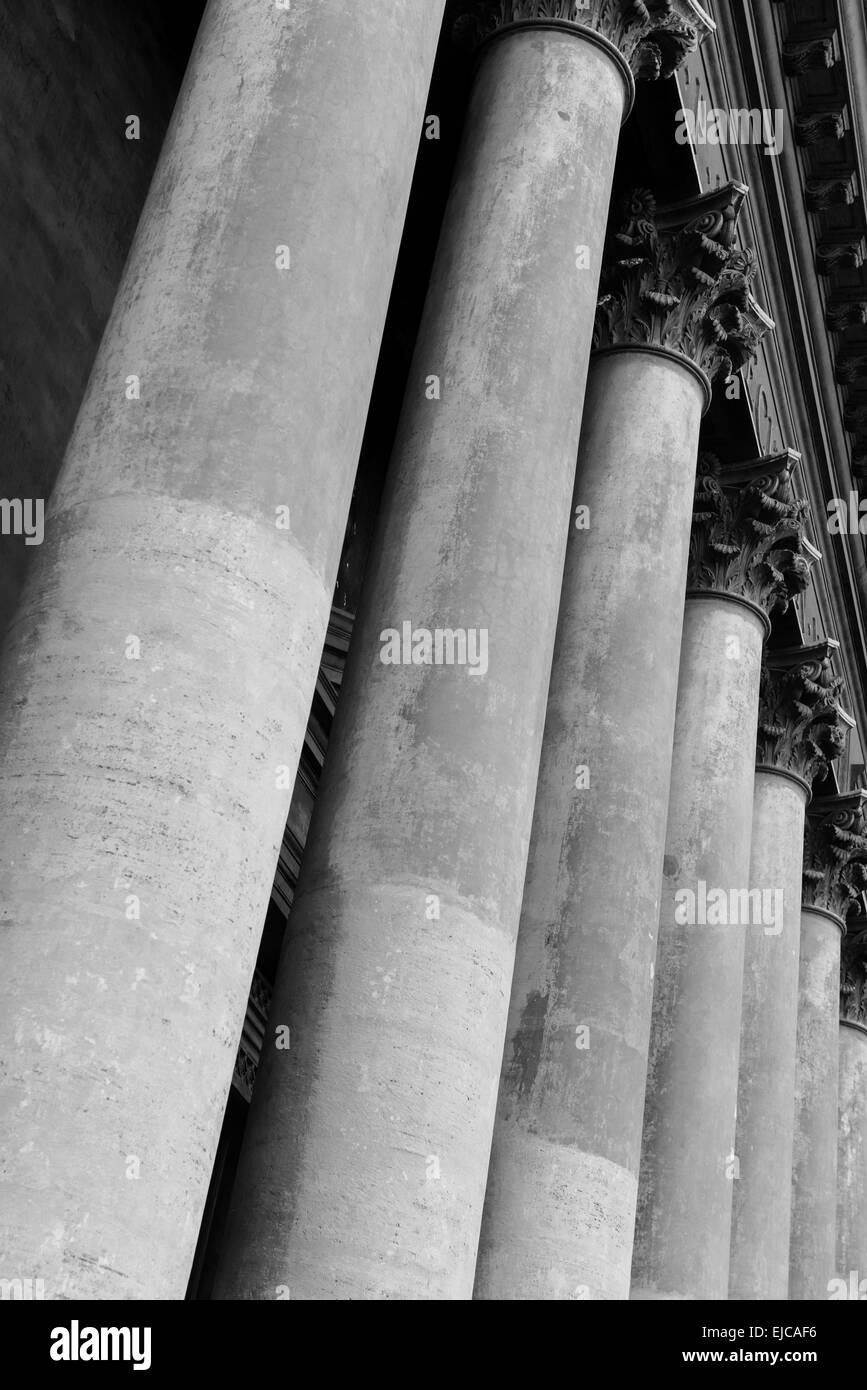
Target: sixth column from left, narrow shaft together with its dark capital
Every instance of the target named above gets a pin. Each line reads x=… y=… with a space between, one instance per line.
x=836 y=849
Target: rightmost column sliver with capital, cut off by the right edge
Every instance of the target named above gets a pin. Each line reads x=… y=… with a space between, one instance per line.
x=852 y=1149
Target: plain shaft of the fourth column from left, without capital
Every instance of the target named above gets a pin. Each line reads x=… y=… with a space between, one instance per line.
x=686 y=1186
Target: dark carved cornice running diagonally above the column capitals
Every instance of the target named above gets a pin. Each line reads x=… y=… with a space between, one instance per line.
x=744 y=67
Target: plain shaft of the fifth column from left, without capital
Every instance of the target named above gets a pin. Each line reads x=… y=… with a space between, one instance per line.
x=766 y=1115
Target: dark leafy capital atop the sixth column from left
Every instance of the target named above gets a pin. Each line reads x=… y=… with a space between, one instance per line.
x=836 y=853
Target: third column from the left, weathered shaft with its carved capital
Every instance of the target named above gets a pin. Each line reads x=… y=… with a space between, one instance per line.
x=561 y=1203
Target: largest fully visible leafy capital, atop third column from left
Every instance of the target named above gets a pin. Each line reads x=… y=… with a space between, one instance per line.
x=675 y=279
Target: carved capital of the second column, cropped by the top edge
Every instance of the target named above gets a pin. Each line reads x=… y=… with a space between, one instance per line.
x=654 y=35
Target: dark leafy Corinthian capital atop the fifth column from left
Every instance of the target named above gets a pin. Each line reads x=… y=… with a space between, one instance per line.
x=802 y=728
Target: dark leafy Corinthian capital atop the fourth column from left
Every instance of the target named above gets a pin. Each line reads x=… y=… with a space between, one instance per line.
x=748 y=532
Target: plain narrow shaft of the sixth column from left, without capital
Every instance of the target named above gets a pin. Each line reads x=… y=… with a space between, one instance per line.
x=812 y=1254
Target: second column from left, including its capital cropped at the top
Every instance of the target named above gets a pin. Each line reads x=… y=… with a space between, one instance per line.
x=365 y=1166
